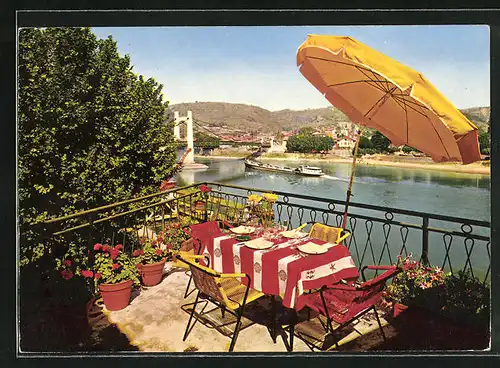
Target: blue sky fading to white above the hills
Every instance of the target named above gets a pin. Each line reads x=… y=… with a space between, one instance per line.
x=256 y=65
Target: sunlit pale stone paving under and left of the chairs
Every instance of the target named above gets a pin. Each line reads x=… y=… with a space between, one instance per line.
x=155 y=322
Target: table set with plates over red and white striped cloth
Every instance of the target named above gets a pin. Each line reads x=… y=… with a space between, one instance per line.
x=279 y=261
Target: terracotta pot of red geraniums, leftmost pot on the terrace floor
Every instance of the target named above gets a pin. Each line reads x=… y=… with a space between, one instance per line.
x=113 y=275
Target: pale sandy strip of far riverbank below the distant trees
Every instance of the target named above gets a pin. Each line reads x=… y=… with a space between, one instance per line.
x=425 y=163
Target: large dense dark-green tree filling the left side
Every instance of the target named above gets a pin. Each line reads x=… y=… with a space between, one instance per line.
x=89 y=128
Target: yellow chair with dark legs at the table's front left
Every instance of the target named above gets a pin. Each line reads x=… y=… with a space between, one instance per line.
x=222 y=289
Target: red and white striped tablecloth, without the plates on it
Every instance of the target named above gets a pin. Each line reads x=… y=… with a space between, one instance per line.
x=281 y=270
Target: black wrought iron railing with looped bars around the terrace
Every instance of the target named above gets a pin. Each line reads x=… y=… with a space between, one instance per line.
x=378 y=234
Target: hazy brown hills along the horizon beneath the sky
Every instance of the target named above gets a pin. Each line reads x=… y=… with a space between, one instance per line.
x=254 y=119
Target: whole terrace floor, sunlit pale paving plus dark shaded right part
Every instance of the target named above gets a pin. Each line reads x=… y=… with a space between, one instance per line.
x=155 y=322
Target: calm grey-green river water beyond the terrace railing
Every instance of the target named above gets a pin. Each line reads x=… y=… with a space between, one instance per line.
x=445 y=193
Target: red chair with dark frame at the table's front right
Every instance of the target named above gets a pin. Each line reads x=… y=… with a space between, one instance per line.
x=344 y=303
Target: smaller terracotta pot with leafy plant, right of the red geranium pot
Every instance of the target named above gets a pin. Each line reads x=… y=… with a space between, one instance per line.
x=150 y=260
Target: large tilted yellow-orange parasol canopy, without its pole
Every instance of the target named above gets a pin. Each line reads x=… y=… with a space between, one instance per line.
x=379 y=92
